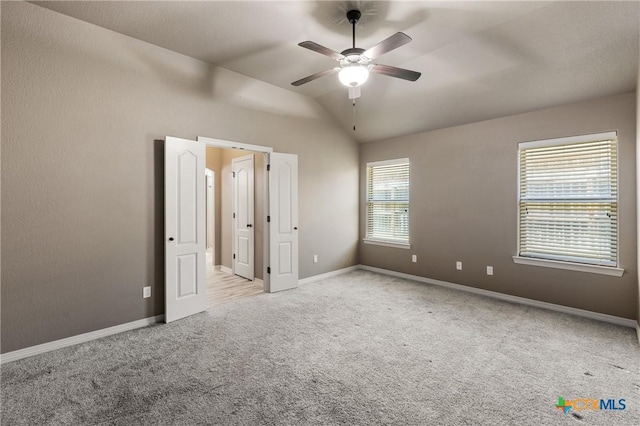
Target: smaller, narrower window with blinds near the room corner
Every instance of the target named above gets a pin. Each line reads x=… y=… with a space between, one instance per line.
x=388 y=203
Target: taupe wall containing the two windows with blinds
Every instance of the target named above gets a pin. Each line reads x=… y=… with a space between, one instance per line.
x=464 y=205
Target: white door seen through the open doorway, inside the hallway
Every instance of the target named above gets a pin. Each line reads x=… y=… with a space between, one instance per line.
x=243 y=216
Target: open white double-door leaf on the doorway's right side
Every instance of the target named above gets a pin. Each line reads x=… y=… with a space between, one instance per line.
x=283 y=221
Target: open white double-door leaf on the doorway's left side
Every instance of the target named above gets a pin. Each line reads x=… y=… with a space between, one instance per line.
x=185 y=236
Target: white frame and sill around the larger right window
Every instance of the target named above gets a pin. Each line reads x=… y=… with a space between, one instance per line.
x=559 y=263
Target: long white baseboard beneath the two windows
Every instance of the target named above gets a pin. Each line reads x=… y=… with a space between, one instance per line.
x=514 y=299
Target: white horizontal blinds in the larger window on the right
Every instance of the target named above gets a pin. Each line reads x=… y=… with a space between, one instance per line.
x=569 y=199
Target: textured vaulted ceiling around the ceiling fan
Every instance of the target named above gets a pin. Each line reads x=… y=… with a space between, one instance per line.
x=479 y=60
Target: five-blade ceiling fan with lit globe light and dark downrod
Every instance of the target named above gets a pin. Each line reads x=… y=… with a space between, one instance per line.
x=355 y=63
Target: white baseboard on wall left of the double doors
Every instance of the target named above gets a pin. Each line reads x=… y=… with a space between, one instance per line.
x=75 y=340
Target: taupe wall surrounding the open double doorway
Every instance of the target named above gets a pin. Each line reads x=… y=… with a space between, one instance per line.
x=83 y=109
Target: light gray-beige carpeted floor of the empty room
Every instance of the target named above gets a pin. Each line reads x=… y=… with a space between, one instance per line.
x=359 y=349
